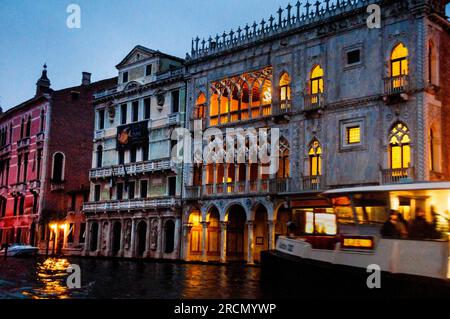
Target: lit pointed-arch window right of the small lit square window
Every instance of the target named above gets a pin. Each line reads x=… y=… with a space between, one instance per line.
x=400 y=149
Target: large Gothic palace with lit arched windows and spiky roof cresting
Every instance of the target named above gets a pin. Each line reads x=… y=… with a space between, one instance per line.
x=354 y=106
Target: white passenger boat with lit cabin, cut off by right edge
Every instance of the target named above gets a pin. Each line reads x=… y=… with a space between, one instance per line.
x=350 y=242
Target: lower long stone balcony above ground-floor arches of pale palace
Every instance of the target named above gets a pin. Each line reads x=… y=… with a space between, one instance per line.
x=132 y=204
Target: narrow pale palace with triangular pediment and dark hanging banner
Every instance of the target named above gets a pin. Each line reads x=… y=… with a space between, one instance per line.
x=135 y=199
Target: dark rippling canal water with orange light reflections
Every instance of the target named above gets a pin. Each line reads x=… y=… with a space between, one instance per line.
x=41 y=277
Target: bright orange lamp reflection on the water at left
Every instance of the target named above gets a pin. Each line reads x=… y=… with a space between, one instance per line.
x=51 y=279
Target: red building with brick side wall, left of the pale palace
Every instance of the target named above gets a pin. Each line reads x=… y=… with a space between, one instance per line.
x=45 y=156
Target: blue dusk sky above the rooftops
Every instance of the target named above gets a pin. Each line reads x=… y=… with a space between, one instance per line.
x=34 y=32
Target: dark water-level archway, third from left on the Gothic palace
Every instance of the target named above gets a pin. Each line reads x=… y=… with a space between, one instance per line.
x=236 y=233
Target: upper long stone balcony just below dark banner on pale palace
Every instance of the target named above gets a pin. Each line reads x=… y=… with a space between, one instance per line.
x=132 y=169
